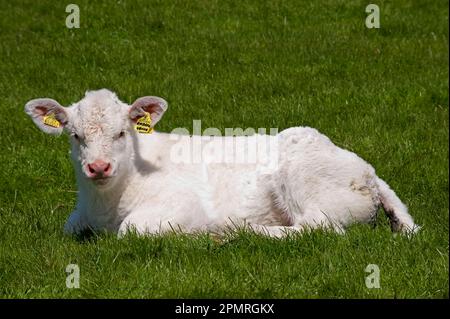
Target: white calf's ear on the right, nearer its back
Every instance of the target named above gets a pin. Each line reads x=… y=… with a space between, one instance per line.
x=153 y=105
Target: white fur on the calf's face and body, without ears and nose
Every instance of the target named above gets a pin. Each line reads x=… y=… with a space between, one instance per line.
x=316 y=183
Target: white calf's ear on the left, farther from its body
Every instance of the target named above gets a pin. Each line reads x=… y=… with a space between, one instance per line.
x=47 y=114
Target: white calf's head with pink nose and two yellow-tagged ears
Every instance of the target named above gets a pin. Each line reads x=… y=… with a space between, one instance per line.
x=101 y=130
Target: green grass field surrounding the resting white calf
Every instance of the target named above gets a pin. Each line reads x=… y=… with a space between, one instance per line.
x=382 y=93
